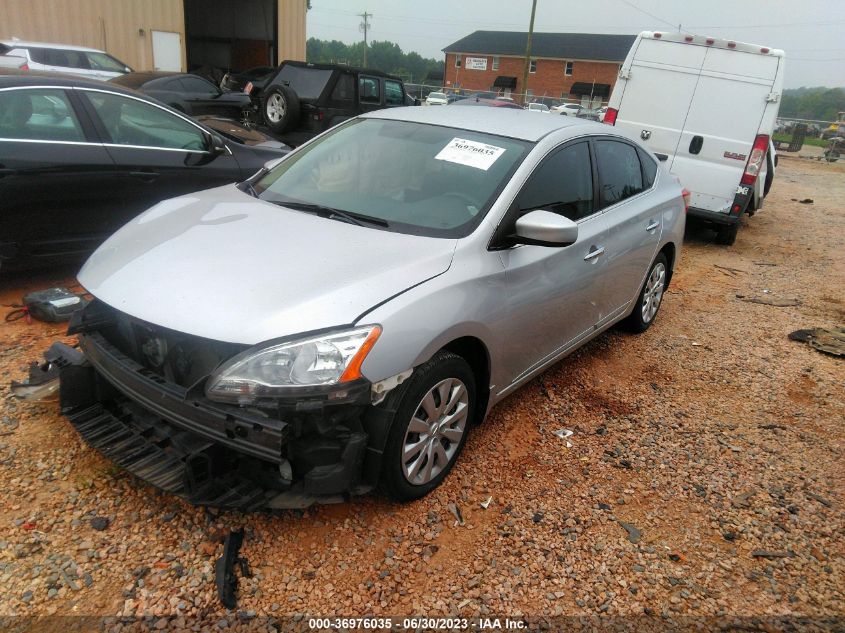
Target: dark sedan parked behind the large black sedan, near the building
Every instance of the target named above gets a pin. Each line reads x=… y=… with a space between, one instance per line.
x=187 y=93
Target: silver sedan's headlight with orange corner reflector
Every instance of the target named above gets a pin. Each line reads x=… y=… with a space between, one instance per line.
x=278 y=370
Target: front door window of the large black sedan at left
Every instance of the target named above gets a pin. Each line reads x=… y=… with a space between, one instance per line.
x=132 y=122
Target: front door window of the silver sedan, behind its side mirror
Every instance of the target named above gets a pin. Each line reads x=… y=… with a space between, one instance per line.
x=563 y=184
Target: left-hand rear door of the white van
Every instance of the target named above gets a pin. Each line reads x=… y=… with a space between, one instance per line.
x=657 y=94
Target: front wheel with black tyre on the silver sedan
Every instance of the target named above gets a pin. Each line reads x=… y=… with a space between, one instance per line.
x=429 y=428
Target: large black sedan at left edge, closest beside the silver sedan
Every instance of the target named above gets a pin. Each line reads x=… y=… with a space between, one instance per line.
x=79 y=158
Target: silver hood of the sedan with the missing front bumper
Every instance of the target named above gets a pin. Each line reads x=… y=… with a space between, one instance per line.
x=223 y=265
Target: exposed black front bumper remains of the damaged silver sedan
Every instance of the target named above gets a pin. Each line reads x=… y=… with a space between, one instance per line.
x=217 y=454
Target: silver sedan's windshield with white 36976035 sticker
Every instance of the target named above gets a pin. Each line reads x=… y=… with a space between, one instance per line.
x=416 y=178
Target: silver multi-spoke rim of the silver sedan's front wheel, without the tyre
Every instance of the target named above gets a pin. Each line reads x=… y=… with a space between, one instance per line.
x=435 y=431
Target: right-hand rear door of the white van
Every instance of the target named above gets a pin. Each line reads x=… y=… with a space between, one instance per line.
x=724 y=119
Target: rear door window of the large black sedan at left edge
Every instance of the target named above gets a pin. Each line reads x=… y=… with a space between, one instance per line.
x=42 y=114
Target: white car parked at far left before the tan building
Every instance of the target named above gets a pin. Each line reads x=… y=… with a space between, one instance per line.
x=63 y=58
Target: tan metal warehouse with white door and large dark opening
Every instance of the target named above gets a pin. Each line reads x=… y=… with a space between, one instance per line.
x=166 y=34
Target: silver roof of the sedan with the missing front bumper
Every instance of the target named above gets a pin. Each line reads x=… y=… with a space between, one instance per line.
x=501 y=121
